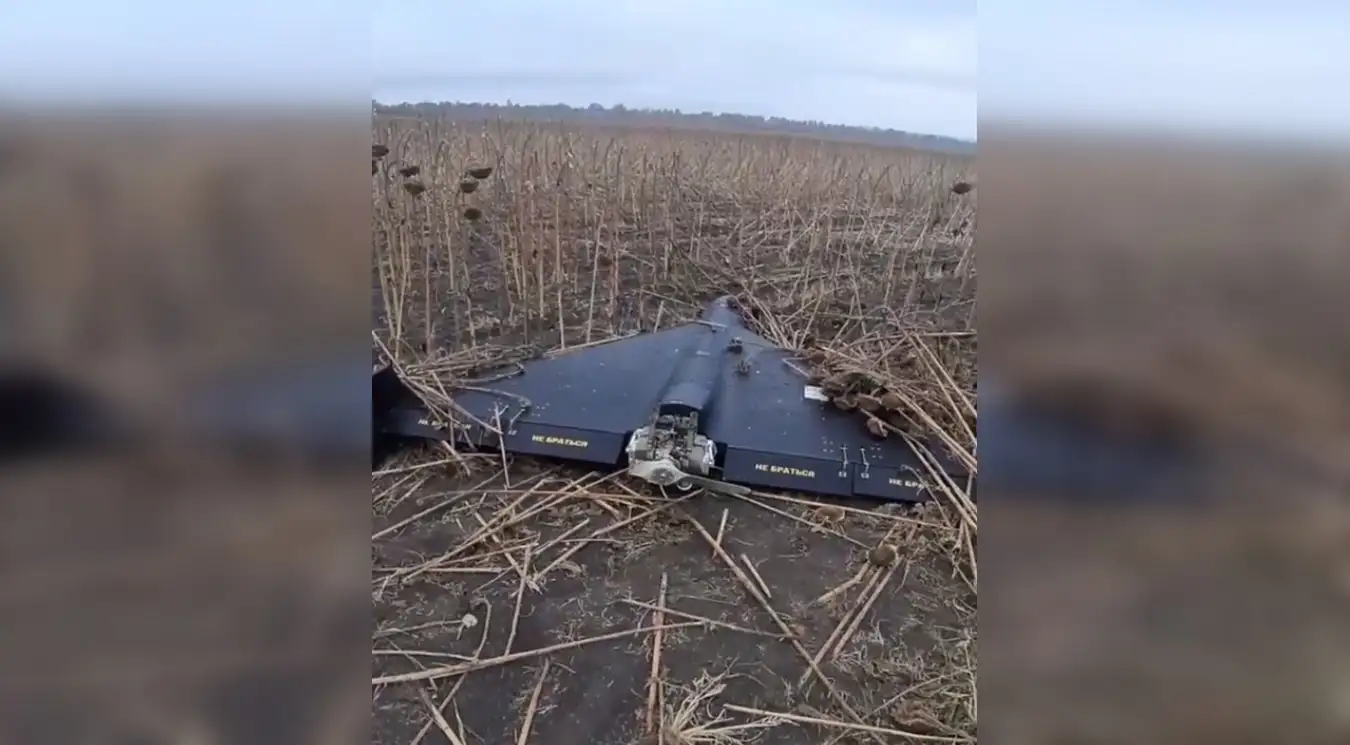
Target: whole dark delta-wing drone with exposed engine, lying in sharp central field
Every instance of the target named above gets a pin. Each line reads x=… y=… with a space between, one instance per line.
x=677 y=407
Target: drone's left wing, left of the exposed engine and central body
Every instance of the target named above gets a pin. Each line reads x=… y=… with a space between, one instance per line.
x=577 y=406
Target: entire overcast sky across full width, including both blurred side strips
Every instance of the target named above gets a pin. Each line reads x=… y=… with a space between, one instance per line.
x=907 y=64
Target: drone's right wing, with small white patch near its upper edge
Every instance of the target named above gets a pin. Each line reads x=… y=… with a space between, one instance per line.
x=780 y=433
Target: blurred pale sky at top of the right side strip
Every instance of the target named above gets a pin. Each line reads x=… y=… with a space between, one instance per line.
x=1251 y=67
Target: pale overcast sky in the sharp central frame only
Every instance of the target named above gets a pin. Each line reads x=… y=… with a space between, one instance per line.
x=902 y=64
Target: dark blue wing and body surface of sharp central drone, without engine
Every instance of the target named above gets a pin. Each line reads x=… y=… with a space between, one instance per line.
x=757 y=406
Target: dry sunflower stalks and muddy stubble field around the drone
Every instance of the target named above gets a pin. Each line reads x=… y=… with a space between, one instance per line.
x=530 y=603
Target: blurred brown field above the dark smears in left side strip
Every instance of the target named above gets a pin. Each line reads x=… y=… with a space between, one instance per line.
x=169 y=238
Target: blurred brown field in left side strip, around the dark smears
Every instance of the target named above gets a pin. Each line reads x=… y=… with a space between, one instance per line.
x=169 y=595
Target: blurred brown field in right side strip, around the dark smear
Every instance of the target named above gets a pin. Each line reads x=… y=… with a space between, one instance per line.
x=1186 y=292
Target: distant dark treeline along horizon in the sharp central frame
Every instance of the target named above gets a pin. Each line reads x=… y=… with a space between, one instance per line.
x=626 y=117
